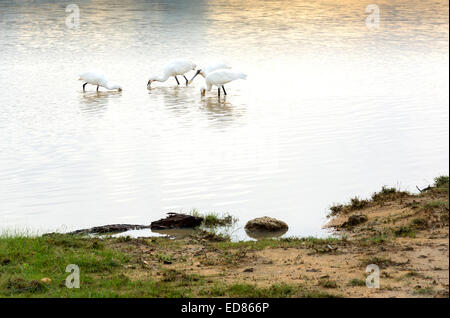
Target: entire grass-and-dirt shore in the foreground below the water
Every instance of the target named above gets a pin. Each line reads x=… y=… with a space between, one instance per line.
x=405 y=235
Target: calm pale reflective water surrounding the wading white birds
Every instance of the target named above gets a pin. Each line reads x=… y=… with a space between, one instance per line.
x=330 y=109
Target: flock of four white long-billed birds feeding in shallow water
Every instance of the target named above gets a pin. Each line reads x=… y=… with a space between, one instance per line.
x=217 y=75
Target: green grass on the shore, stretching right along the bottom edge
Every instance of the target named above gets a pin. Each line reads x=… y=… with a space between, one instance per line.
x=25 y=260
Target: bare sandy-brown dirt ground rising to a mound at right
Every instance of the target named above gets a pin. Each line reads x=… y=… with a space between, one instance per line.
x=406 y=236
